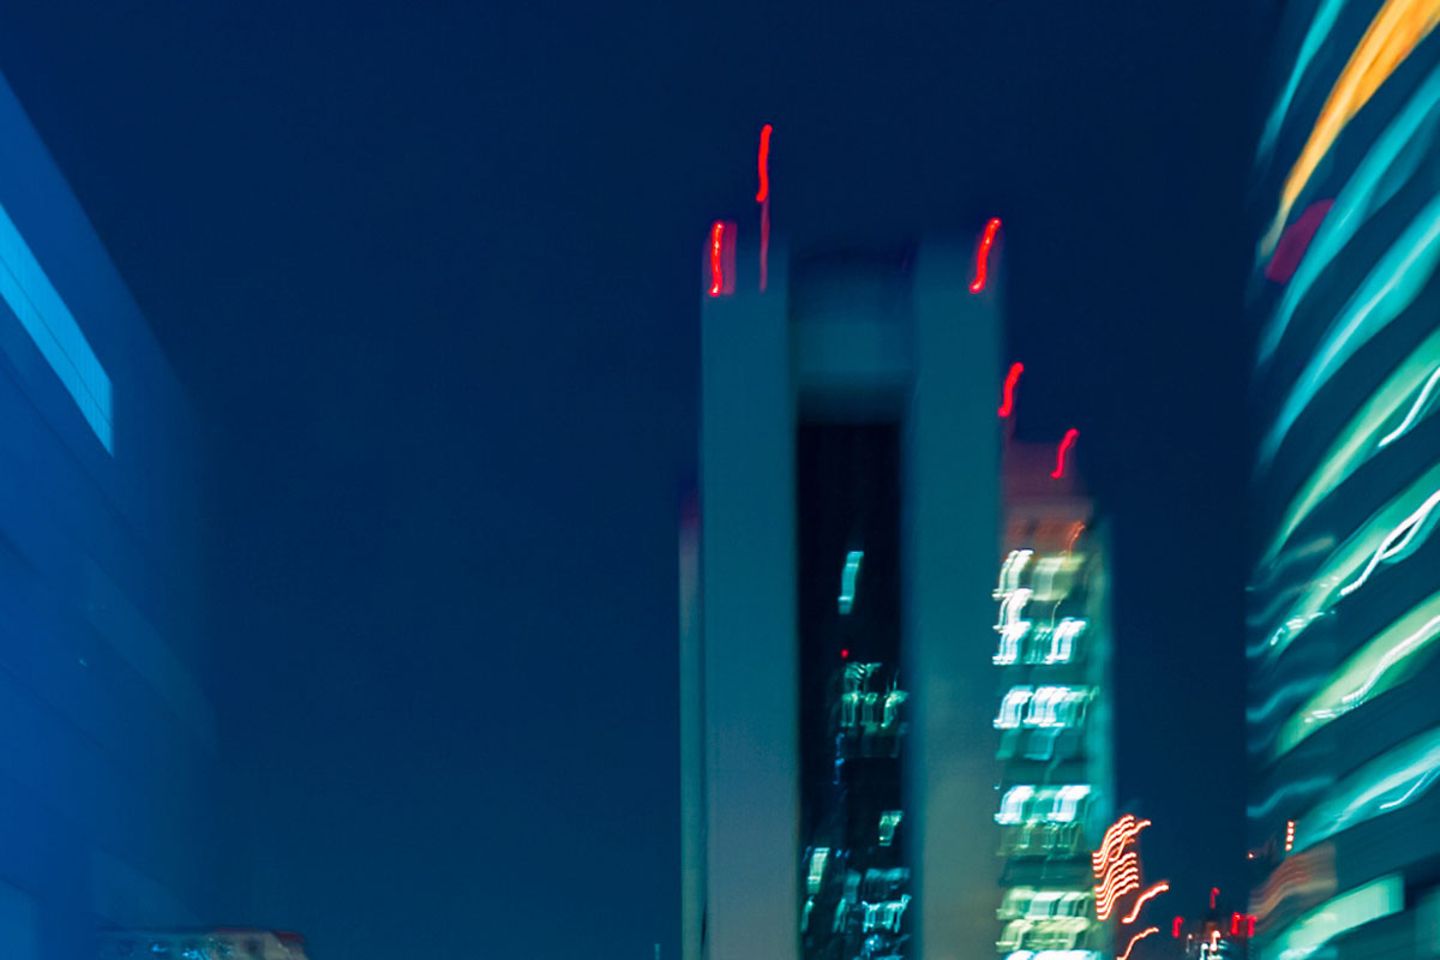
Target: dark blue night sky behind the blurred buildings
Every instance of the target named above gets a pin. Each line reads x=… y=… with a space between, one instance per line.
x=430 y=276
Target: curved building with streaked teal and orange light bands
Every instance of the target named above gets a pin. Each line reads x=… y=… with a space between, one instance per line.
x=1344 y=722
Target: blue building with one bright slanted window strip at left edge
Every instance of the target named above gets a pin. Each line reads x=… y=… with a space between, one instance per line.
x=107 y=779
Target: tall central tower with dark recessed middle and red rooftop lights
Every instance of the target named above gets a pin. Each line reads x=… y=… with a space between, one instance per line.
x=839 y=753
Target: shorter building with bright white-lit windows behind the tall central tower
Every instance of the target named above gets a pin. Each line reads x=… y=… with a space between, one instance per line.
x=1053 y=716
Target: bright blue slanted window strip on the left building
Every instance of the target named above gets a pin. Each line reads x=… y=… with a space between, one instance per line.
x=54 y=330
